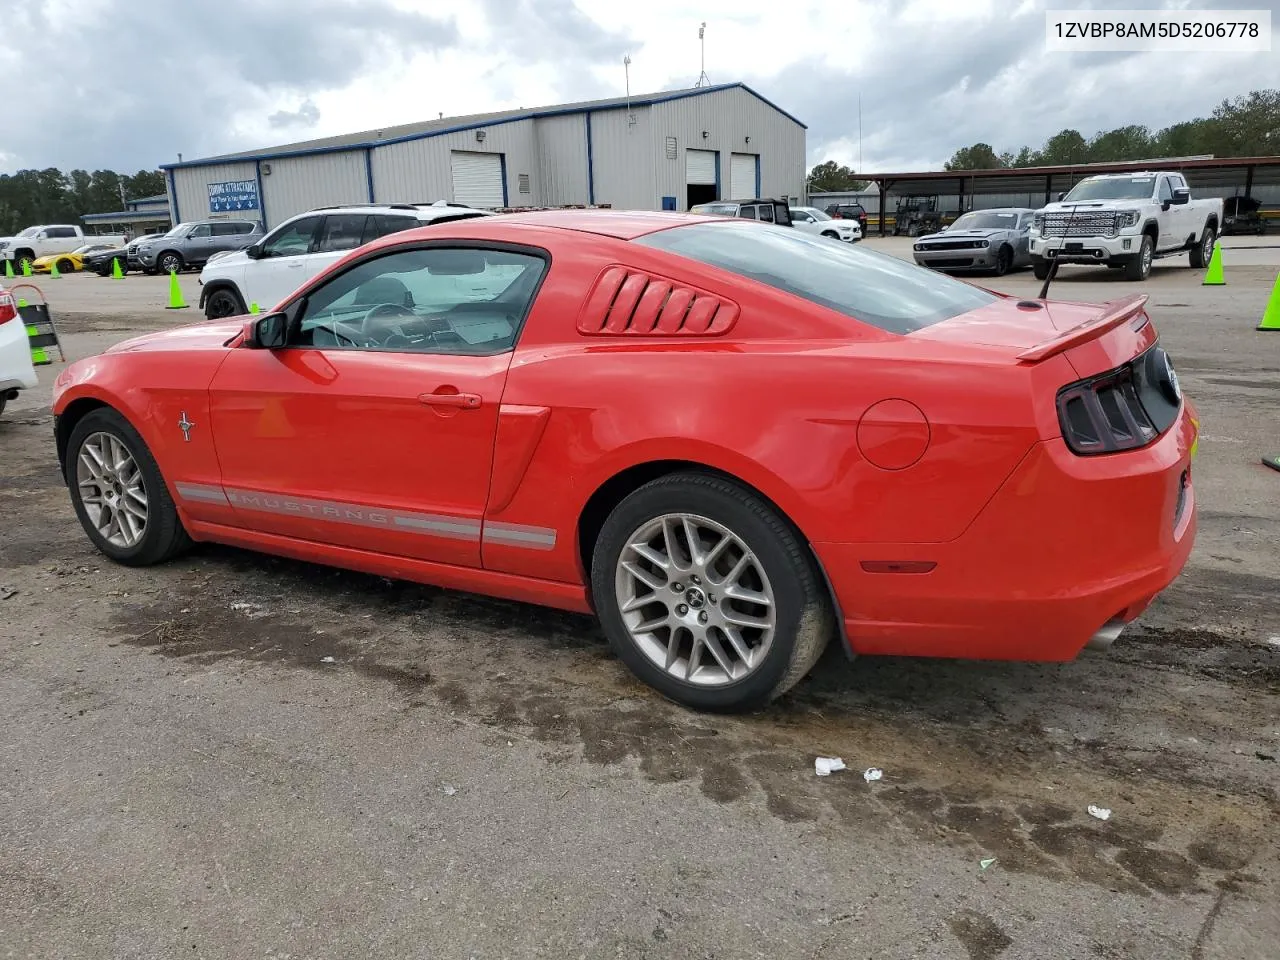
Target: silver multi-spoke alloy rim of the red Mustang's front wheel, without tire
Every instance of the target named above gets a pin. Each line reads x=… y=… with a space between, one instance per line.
x=112 y=490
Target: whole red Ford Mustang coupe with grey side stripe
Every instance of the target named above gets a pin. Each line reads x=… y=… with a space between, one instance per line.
x=733 y=442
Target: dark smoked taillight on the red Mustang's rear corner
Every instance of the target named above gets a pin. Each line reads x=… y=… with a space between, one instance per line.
x=1107 y=414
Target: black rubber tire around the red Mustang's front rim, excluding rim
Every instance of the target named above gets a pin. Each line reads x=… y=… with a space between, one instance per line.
x=164 y=537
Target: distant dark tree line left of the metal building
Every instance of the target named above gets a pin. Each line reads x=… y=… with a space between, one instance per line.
x=31 y=198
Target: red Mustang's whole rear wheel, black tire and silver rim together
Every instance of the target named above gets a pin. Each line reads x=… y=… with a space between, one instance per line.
x=707 y=595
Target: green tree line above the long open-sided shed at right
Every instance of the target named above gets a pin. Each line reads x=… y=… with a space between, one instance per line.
x=1245 y=126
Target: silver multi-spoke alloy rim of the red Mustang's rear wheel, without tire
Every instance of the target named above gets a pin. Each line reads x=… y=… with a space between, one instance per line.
x=696 y=600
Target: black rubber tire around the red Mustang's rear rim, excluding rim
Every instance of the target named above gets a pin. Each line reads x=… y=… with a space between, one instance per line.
x=804 y=619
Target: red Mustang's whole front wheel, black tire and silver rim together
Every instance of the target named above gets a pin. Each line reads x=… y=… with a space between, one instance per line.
x=120 y=495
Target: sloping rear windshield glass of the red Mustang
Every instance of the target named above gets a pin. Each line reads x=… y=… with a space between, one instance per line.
x=876 y=289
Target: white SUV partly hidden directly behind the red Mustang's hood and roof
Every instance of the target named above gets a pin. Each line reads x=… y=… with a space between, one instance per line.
x=268 y=272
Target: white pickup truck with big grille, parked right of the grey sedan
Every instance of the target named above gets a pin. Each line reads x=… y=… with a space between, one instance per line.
x=1126 y=221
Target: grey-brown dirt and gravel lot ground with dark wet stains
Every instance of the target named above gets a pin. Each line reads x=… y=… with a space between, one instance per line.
x=182 y=772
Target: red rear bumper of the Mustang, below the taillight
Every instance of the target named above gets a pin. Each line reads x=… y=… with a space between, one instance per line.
x=1067 y=547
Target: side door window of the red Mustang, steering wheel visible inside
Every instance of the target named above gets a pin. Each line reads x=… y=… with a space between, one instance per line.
x=454 y=300
